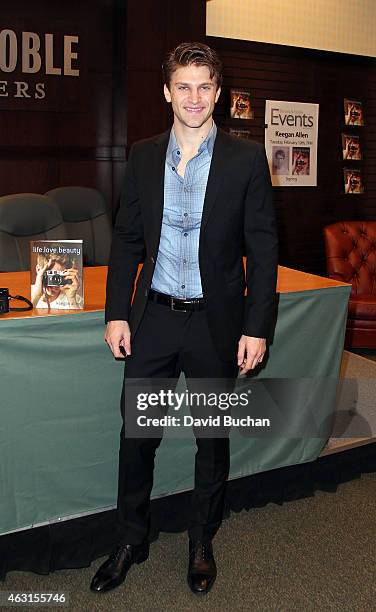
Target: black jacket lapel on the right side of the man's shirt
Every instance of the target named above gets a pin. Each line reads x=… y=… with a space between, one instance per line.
x=217 y=171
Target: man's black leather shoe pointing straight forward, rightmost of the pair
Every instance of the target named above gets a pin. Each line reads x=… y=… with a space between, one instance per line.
x=202 y=570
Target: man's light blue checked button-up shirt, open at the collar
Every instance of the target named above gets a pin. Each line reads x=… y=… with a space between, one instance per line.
x=177 y=271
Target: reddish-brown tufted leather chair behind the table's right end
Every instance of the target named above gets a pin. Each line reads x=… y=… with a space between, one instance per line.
x=351 y=258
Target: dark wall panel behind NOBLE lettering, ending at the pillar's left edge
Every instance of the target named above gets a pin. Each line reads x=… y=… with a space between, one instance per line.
x=69 y=137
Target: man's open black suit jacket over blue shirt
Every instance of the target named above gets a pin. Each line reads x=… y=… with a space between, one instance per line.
x=238 y=219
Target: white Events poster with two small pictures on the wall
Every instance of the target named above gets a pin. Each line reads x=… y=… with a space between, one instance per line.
x=291 y=142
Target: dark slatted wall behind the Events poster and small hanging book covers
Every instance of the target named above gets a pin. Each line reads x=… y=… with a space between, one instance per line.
x=284 y=73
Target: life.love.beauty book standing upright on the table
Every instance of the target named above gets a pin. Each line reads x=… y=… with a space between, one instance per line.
x=56 y=272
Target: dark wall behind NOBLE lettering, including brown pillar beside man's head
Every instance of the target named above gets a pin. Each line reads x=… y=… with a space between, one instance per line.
x=80 y=133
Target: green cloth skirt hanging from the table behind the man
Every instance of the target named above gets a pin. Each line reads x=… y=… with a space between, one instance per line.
x=60 y=414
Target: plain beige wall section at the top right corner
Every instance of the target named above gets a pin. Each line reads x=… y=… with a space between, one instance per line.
x=347 y=26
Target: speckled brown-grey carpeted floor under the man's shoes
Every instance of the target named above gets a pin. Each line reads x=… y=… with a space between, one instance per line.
x=313 y=554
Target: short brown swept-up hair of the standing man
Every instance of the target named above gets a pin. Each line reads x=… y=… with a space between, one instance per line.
x=194 y=53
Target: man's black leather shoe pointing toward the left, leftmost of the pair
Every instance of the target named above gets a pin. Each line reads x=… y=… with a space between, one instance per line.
x=113 y=571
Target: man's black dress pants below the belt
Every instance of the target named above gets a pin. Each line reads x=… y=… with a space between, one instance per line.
x=166 y=343
